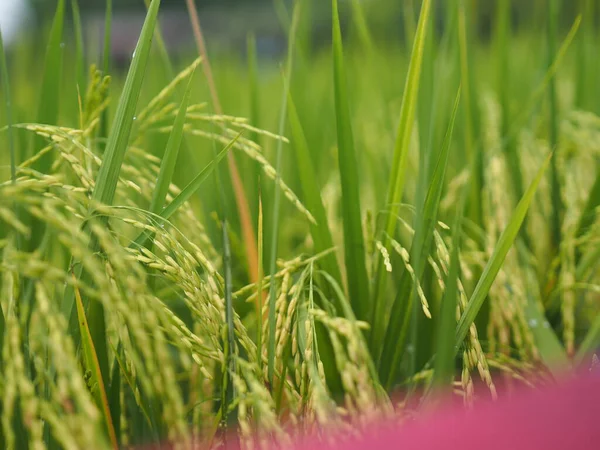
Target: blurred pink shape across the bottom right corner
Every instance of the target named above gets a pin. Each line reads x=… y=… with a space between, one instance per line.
x=563 y=416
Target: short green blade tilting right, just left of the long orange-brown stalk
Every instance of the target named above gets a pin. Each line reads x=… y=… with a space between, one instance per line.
x=167 y=167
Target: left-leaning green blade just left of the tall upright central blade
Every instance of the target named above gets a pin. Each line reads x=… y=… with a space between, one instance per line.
x=311 y=189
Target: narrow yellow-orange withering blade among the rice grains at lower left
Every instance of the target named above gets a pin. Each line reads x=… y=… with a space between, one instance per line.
x=92 y=365
